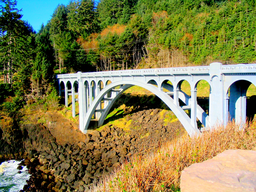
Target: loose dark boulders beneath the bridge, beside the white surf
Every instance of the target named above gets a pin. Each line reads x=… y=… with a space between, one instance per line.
x=79 y=166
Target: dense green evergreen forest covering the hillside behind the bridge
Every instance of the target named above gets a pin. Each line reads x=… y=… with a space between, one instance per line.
x=123 y=34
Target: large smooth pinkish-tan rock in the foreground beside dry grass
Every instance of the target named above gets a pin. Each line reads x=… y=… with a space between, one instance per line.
x=232 y=170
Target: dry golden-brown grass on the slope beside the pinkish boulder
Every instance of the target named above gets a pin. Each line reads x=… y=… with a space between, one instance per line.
x=161 y=171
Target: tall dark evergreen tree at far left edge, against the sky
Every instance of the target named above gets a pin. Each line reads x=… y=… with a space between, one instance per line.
x=14 y=34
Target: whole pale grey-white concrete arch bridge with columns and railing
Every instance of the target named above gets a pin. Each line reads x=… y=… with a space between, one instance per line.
x=98 y=91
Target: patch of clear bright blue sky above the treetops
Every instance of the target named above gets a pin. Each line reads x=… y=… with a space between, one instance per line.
x=38 y=12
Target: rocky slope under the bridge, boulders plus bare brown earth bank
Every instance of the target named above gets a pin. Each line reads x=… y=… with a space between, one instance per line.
x=61 y=158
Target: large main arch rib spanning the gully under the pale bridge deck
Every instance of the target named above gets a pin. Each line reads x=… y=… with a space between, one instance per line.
x=180 y=114
